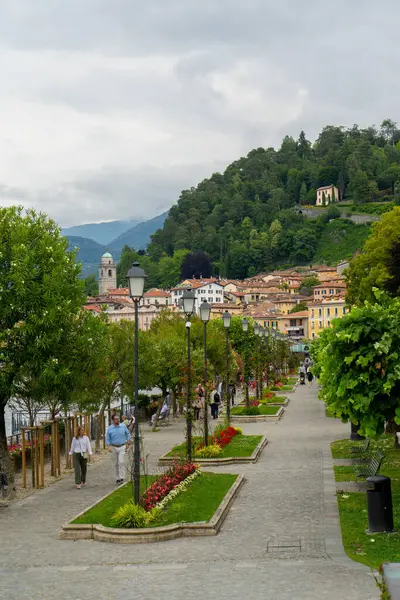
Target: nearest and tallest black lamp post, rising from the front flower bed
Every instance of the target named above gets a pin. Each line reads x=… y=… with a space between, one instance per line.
x=136 y=279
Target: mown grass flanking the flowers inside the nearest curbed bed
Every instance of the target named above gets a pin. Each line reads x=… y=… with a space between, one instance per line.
x=198 y=503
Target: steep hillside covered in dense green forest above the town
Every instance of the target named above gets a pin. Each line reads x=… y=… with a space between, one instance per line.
x=245 y=218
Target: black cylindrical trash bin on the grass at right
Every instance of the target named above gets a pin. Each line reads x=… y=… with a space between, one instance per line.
x=379 y=504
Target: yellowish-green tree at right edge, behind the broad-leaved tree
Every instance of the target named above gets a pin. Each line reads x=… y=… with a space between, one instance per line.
x=373 y=266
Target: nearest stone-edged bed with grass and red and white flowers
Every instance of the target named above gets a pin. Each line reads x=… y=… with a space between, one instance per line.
x=207 y=500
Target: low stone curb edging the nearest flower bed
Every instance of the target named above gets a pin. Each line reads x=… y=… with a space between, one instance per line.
x=113 y=535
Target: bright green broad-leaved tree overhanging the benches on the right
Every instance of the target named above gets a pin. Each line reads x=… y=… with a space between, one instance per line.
x=357 y=364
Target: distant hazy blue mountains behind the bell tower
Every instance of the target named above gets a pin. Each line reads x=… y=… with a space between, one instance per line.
x=111 y=236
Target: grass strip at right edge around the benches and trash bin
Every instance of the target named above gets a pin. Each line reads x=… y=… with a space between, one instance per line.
x=374 y=549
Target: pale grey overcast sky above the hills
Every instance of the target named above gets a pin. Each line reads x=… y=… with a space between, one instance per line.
x=109 y=108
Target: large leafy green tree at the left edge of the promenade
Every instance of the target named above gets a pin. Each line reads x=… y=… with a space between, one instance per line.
x=40 y=295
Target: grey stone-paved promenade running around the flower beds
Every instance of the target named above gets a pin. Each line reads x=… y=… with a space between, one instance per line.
x=280 y=541
